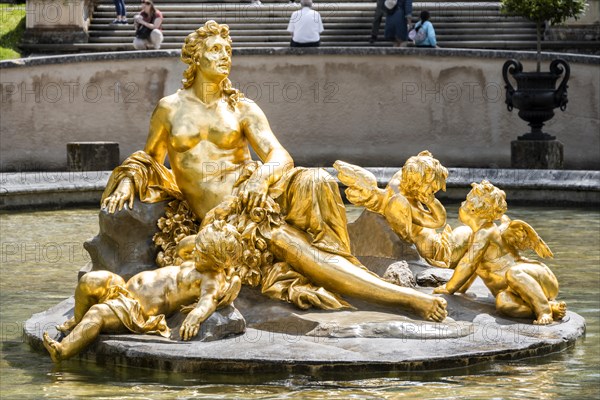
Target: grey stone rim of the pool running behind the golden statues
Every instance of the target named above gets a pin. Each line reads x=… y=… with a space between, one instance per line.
x=24 y=190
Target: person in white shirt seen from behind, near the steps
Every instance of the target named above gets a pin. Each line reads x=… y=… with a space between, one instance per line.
x=305 y=26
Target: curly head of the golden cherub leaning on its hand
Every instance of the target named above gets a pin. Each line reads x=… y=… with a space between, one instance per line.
x=422 y=177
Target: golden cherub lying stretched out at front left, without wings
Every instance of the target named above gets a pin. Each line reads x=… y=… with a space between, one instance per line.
x=104 y=302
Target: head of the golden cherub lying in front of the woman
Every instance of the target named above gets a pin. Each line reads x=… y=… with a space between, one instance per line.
x=218 y=246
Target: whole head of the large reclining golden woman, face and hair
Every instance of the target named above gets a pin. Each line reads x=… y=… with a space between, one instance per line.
x=206 y=48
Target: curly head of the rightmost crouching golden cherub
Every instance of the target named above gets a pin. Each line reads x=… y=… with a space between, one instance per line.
x=485 y=201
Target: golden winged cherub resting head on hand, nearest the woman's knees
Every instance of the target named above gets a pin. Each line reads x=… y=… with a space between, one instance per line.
x=408 y=202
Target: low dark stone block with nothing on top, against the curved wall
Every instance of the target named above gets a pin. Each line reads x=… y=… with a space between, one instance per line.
x=92 y=156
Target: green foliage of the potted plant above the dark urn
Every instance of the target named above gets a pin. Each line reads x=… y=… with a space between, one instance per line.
x=554 y=11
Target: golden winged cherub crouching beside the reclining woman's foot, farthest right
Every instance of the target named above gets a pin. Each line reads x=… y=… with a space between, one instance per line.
x=523 y=288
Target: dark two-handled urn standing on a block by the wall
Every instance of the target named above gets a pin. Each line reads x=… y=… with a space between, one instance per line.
x=536 y=95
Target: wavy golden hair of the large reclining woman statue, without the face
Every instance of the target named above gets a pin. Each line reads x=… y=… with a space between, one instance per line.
x=191 y=51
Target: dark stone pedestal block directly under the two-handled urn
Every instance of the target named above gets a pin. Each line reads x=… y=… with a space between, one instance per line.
x=536 y=154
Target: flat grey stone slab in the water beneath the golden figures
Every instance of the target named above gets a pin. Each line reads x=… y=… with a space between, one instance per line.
x=281 y=339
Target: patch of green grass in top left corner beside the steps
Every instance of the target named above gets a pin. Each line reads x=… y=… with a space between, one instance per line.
x=12 y=26
